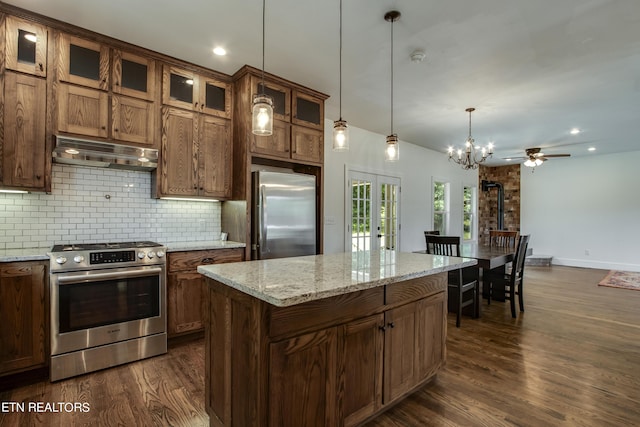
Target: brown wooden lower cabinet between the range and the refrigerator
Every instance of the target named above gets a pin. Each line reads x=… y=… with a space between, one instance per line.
x=185 y=287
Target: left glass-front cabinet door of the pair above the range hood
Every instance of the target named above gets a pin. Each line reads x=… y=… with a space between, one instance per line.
x=83 y=62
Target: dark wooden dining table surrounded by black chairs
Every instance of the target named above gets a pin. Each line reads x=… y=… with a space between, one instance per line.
x=492 y=261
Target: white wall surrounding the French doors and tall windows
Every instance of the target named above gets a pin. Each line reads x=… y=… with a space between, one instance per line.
x=416 y=168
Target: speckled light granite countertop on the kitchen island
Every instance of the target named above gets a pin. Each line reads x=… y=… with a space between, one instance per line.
x=290 y=281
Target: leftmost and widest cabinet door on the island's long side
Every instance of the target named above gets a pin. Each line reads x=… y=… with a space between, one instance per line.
x=302 y=381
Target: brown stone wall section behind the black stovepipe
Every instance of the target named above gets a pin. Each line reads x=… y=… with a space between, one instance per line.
x=509 y=177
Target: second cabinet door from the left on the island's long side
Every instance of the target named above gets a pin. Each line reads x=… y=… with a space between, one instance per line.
x=360 y=353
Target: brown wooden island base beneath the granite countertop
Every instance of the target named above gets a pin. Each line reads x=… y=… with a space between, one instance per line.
x=333 y=362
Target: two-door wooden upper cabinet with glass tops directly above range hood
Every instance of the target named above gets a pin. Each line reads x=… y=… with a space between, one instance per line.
x=99 y=100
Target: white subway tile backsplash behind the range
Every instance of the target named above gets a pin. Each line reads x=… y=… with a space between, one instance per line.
x=89 y=205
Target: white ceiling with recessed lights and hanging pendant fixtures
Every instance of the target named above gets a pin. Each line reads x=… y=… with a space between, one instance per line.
x=532 y=69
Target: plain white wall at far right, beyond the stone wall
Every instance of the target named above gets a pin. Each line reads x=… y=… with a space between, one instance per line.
x=584 y=211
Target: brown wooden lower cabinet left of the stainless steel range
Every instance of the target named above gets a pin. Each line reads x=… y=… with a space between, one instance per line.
x=23 y=331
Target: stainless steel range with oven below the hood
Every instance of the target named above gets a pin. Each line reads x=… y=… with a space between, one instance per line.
x=108 y=305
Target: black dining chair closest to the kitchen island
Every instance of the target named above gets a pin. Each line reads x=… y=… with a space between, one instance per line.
x=460 y=281
